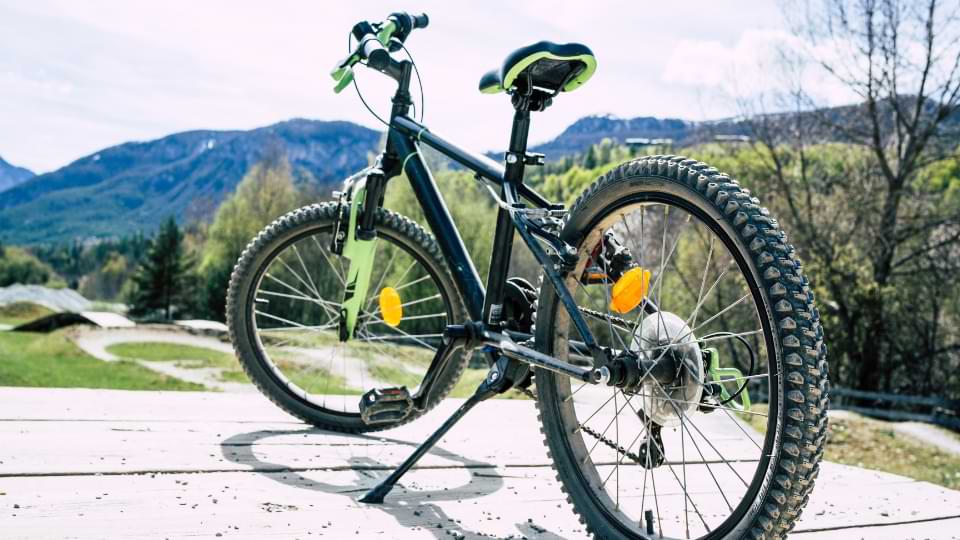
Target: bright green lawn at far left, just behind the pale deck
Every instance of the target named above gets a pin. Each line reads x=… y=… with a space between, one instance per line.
x=53 y=361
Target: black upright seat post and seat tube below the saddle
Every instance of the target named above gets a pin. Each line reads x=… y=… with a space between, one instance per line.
x=503 y=235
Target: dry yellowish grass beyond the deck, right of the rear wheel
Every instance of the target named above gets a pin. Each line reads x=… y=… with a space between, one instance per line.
x=874 y=444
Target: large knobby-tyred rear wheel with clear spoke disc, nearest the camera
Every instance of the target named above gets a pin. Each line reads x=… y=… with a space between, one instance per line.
x=677 y=455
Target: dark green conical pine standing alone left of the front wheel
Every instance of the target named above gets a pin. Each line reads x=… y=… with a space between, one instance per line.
x=163 y=281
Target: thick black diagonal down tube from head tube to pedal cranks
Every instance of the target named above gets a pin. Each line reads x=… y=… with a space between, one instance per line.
x=464 y=272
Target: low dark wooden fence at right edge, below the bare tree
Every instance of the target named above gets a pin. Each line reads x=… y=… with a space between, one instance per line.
x=934 y=410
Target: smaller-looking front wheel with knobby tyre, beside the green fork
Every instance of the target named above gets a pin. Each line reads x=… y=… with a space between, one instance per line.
x=283 y=313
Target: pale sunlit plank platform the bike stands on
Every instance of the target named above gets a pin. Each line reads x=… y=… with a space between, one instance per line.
x=115 y=464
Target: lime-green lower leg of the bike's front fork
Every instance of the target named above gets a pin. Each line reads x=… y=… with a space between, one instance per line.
x=361 y=254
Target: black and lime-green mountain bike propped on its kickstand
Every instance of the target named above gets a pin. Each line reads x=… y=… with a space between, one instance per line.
x=671 y=343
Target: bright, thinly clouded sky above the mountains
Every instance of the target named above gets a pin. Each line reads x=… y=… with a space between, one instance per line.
x=78 y=76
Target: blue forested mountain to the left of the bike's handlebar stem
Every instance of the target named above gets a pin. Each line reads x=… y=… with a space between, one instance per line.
x=135 y=185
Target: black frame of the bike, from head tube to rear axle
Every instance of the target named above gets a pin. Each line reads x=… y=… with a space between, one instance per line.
x=484 y=304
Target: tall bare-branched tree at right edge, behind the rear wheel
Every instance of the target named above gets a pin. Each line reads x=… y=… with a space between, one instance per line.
x=874 y=213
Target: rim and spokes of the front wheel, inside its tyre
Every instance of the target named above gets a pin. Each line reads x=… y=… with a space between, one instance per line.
x=293 y=315
